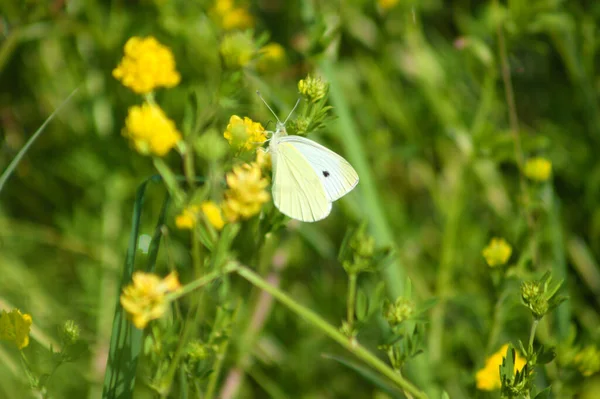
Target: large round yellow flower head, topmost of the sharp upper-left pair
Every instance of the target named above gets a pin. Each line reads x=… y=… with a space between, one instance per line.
x=147 y=64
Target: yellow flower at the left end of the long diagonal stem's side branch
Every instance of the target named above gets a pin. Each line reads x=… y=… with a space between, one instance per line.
x=144 y=298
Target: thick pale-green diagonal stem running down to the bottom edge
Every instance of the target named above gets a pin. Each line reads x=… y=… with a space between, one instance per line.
x=333 y=333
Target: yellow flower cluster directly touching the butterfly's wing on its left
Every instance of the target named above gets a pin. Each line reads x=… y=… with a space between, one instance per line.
x=246 y=192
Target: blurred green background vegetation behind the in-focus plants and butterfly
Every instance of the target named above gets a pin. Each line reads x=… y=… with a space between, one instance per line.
x=420 y=85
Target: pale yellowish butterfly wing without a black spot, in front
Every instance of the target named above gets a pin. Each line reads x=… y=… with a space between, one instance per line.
x=297 y=190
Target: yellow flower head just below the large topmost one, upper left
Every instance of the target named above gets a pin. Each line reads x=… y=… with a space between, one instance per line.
x=150 y=130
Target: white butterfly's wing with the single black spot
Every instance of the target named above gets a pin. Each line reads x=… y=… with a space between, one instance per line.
x=336 y=174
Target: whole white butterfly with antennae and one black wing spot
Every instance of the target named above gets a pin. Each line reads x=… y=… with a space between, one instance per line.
x=307 y=177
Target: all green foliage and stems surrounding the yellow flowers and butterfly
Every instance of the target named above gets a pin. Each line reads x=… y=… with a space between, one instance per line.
x=438 y=108
